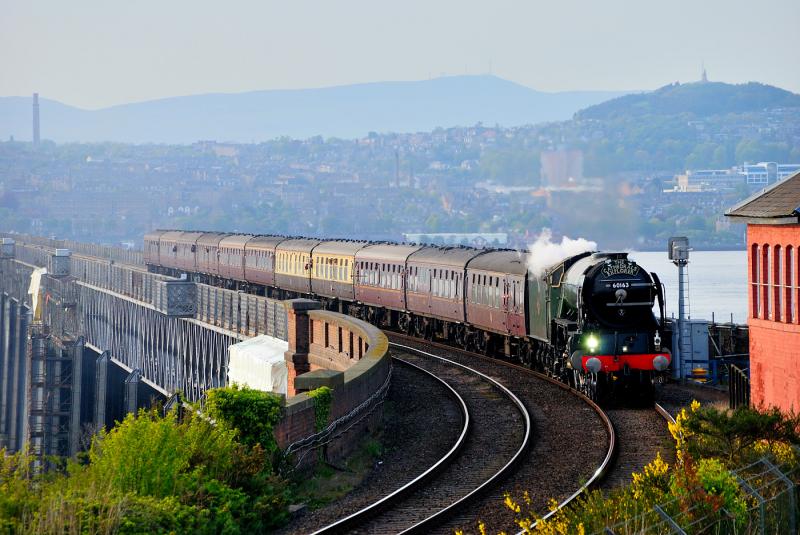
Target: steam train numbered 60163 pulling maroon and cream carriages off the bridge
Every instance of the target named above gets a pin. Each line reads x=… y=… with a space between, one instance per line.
x=587 y=320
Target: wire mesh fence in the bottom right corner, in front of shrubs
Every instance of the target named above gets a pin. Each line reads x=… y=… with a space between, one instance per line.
x=770 y=506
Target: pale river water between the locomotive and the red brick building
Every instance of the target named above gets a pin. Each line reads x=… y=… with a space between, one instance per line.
x=717 y=283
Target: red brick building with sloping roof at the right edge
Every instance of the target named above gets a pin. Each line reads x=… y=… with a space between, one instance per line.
x=773 y=260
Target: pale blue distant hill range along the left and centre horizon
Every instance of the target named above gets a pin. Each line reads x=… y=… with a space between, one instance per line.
x=346 y=111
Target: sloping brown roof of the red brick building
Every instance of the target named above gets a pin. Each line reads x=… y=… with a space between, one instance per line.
x=779 y=203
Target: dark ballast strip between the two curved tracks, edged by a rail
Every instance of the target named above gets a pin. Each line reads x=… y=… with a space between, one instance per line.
x=563 y=419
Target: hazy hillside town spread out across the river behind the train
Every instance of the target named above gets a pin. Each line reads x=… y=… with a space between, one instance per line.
x=491 y=185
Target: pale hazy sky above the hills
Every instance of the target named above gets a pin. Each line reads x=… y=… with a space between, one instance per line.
x=95 y=53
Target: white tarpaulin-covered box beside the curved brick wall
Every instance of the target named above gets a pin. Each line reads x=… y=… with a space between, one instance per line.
x=259 y=364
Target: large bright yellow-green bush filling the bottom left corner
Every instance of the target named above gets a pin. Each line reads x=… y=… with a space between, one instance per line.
x=149 y=474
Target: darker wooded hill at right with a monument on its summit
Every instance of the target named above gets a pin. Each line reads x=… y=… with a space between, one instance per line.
x=701 y=99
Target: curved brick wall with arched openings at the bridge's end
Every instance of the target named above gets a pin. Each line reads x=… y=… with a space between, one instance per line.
x=322 y=340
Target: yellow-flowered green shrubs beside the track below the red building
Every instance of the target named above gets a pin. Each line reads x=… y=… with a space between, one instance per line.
x=699 y=488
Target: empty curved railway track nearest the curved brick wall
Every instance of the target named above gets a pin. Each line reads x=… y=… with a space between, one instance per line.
x=495 y=421
